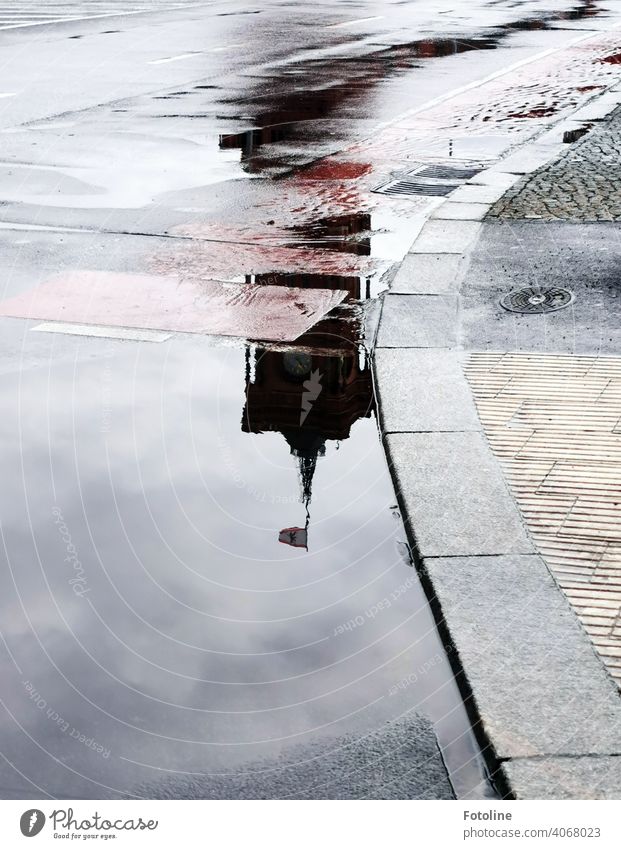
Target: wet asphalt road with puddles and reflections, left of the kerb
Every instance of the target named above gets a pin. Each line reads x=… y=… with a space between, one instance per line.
x=159 y=638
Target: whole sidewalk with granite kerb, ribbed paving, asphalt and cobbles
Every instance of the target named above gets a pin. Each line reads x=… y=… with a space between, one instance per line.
x=502 y=431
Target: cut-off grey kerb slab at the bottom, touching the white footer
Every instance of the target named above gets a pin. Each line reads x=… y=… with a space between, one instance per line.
x=564 y=778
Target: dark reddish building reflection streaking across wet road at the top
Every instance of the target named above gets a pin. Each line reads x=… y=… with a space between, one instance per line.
x=297 y=108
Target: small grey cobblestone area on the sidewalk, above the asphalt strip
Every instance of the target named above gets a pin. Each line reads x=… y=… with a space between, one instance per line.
x=583 y=185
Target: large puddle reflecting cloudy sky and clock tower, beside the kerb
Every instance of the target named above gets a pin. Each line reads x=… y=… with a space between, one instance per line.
x=214 y=572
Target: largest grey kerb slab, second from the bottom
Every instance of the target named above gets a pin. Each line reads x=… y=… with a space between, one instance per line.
x=539 y=688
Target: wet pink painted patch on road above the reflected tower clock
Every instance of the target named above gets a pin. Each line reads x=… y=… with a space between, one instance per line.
x=268 y=313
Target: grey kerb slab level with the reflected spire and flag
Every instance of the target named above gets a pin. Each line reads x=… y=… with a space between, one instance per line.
x=455 y=498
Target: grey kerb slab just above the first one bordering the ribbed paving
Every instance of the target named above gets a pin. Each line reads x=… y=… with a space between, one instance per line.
x=418 y=321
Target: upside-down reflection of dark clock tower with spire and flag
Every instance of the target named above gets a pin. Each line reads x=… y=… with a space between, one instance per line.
x=310 y=396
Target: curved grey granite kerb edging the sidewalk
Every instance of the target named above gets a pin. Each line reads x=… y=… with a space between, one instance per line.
x=546 y=712
